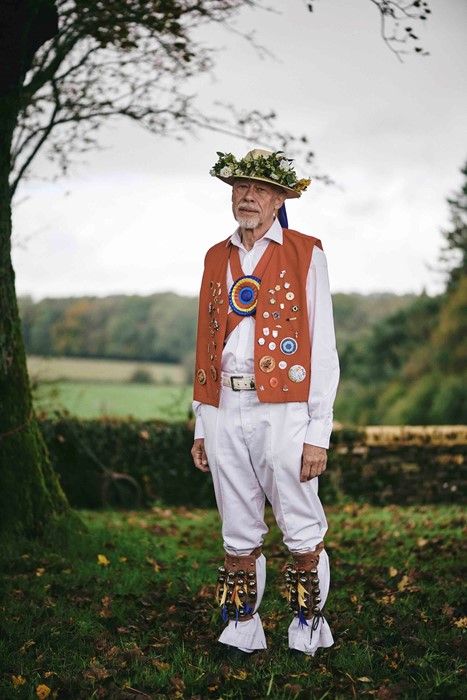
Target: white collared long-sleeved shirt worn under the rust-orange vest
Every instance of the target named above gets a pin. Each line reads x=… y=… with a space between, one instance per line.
x=238 y=352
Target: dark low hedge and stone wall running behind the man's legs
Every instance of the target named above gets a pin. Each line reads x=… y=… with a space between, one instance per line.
x=135 y=463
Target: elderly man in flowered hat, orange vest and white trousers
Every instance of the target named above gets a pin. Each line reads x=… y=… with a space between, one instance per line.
x=266 y=377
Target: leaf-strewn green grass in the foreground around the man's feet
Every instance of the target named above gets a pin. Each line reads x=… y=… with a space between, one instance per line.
x=143 y=624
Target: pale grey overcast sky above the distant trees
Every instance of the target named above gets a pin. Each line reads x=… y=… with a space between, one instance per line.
x=138 y=217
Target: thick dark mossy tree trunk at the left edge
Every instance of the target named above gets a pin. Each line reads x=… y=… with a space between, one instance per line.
x=31 y=498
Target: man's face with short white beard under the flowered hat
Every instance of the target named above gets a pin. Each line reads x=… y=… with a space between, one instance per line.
x=254 y=203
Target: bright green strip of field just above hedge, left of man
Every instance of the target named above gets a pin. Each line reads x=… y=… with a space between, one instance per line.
x=91 y=399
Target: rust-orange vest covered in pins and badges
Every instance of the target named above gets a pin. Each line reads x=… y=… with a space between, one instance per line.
x=282 y=350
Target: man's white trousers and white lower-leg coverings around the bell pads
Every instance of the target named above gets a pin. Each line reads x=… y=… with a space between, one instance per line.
x=254 y=451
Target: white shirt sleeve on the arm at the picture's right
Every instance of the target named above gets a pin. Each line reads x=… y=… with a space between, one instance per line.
x=325 y=370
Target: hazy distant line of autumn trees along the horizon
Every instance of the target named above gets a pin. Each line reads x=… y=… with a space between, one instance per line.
x=159 y=327
